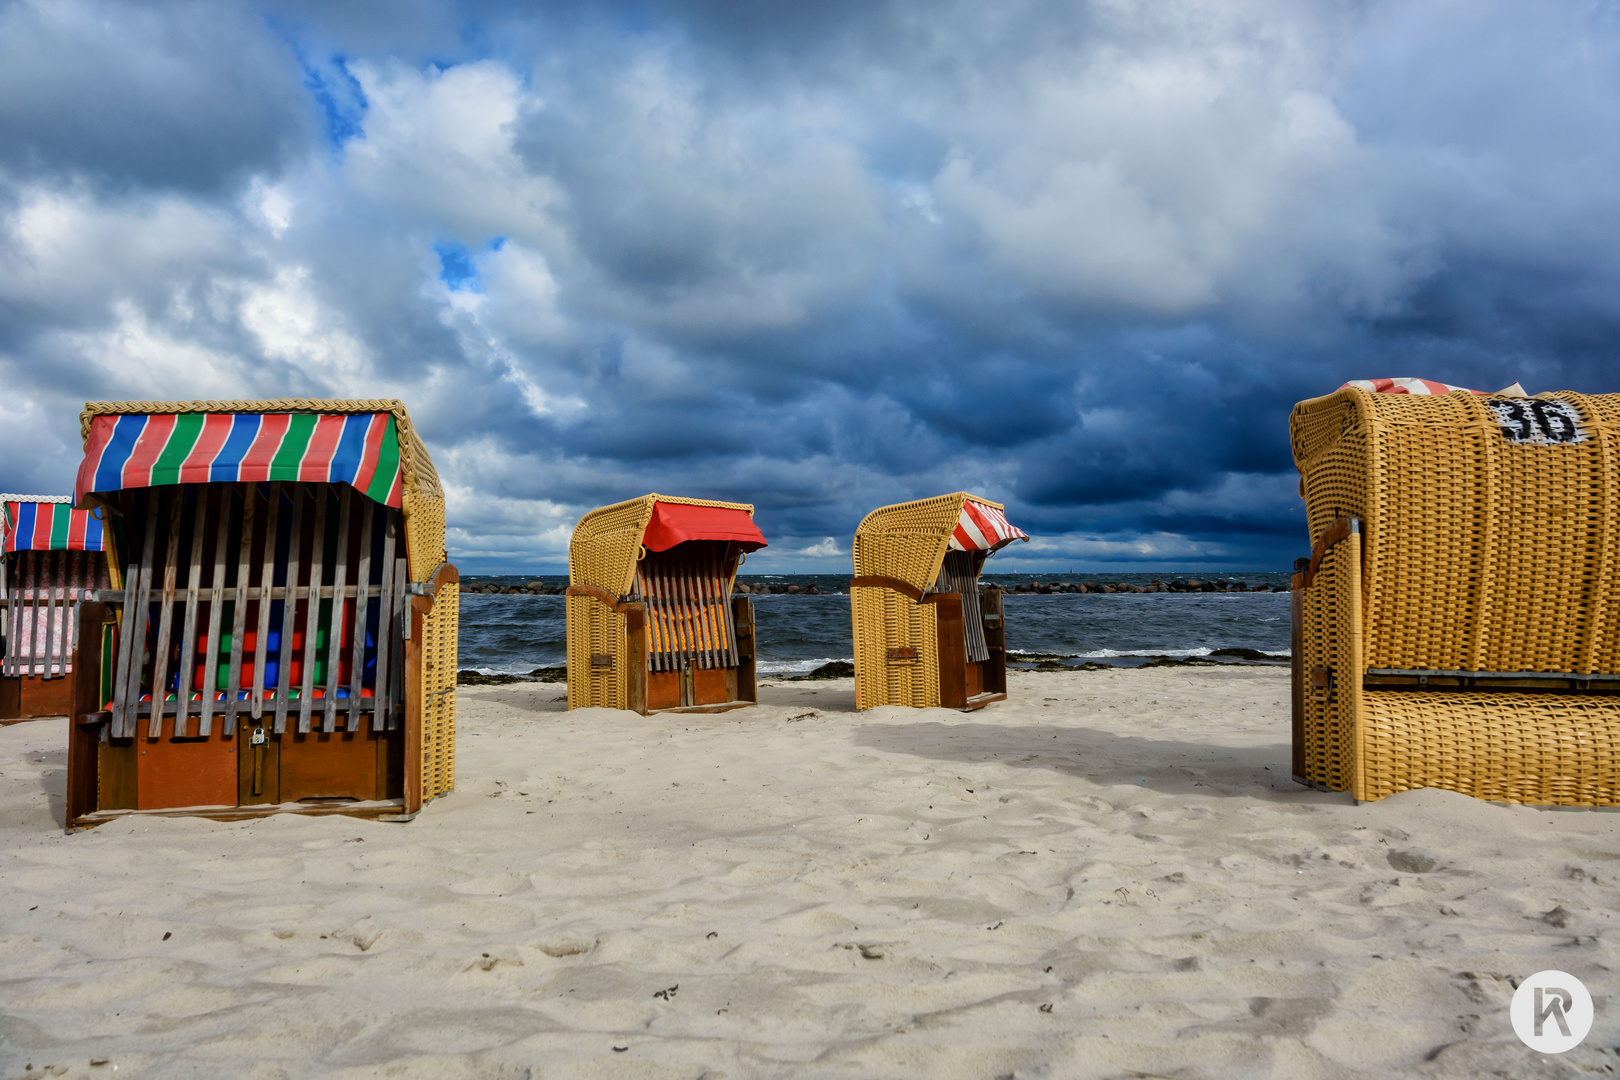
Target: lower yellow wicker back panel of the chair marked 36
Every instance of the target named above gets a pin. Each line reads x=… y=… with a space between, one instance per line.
x=1553 y=750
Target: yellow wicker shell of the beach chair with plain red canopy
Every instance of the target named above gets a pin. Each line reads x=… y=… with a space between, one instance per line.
x=605 y=551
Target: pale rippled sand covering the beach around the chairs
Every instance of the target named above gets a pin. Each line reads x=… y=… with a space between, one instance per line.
x=1109 y=877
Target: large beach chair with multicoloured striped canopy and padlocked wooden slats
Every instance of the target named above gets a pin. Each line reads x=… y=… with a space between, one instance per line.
x=283 y=629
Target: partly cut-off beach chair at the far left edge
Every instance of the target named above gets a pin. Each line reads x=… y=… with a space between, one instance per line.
x=51 y=559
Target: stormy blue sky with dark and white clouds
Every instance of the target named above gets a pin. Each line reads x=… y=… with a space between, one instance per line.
x=1078 y=258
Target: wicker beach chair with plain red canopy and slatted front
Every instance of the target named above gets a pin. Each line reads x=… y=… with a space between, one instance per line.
x=652 y=621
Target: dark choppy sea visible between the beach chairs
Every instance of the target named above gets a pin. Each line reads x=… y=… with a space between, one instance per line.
x=796 y=634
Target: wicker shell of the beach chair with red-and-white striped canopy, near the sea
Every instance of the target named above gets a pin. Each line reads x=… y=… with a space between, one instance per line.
x=906 y=542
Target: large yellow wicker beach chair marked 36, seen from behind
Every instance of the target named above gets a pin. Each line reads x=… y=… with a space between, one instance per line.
x=1457 y=624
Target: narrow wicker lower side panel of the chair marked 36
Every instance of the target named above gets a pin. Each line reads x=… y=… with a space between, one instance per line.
x=1332 y=642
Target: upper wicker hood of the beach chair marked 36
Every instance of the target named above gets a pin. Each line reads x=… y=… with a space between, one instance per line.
x=1481 y=555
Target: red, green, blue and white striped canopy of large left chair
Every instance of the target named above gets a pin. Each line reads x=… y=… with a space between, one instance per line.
x=148 y=451
